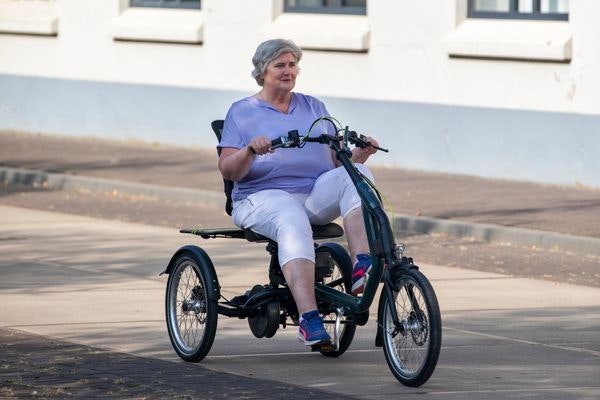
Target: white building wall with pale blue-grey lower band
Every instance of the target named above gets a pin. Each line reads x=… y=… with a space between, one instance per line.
x=509 y=118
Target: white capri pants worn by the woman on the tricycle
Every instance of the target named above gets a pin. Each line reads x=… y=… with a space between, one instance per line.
x=286 y=217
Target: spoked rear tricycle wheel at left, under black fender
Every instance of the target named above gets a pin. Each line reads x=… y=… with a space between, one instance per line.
x=191 y=314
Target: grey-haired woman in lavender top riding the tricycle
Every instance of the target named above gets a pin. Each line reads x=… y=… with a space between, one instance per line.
x=278 y=194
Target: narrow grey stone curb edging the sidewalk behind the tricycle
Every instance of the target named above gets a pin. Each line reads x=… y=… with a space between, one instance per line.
x=551 y=241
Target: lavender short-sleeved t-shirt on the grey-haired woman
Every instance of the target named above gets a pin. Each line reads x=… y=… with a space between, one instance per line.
x=293 y=170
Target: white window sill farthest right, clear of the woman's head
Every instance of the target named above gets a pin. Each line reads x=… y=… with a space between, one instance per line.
x=511 y=39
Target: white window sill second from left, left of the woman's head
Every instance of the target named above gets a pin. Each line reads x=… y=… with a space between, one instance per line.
x=159 y=25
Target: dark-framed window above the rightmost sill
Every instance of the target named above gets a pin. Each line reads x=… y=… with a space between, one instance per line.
x=519 y=9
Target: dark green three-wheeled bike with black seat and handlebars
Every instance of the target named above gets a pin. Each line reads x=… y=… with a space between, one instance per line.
x=409 y=326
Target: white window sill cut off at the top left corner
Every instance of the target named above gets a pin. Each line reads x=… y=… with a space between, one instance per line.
x=28 y=18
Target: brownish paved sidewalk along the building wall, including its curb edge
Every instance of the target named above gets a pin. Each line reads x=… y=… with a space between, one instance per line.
x=541 y=216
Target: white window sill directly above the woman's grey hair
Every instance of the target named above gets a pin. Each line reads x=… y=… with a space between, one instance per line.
x=335 y=32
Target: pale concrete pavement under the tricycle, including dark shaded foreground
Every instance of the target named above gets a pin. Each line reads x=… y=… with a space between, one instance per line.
x=91 y=288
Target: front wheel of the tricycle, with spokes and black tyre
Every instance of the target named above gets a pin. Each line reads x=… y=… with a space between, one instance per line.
x=412 y=347
